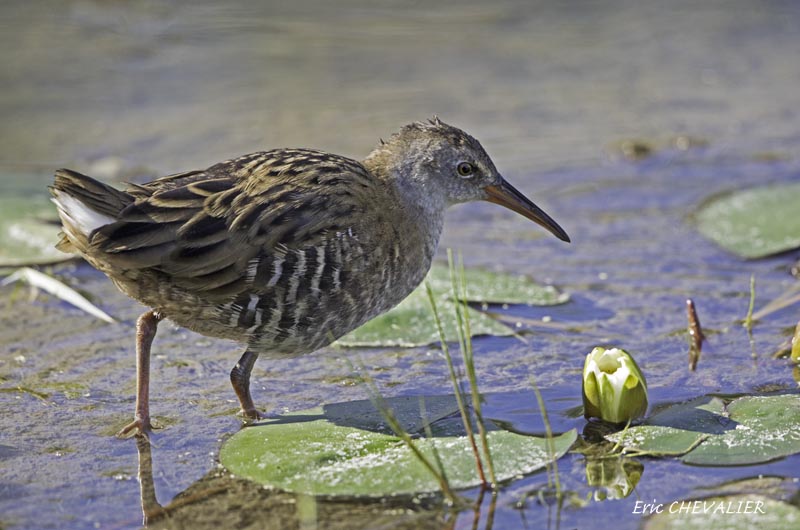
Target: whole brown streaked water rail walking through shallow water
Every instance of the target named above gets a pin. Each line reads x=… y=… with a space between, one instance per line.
x=283 y=250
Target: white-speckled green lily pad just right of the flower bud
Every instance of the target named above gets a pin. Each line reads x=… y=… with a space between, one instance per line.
x=751 y=430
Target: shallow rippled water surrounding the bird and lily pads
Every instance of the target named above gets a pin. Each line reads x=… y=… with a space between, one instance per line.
x=135 y=88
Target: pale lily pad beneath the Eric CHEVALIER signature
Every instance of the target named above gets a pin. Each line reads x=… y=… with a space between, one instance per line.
x=732 y=512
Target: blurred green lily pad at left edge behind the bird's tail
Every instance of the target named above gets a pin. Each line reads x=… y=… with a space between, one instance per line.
x=28 y=232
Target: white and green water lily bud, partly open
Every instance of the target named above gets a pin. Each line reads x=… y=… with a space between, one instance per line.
x=614 y=389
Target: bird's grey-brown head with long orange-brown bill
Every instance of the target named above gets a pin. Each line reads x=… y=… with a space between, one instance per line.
x=444 y=164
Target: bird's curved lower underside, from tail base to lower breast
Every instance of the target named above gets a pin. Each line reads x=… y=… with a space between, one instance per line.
x=286 y=319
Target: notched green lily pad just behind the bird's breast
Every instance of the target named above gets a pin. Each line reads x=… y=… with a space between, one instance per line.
x=411 y=323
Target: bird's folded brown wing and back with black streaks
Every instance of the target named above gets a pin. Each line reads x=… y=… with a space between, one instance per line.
x=201 y=228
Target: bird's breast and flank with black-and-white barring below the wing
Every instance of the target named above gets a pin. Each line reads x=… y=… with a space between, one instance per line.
x=303 y=299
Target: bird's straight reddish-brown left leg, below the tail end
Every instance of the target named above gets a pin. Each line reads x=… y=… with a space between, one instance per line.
x=146 y=327
